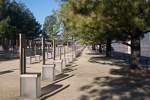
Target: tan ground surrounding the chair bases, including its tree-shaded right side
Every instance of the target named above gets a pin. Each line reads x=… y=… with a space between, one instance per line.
x=91 y=76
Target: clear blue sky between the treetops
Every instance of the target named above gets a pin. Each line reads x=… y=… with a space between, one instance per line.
x=40 y=8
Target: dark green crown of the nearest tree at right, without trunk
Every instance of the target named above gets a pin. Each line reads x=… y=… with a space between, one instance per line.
x=128 y=16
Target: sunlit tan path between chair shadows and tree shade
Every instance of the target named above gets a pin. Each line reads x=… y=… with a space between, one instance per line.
x=84 y=74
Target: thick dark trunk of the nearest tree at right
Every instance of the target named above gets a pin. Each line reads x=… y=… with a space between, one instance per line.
x=135 y=53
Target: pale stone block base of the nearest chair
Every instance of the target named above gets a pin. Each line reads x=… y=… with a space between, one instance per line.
x=30 y=85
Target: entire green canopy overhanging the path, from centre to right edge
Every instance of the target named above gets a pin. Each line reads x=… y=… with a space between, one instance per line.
x=92 y=19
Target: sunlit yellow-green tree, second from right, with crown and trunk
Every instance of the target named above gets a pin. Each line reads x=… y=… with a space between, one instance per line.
x=81 y=22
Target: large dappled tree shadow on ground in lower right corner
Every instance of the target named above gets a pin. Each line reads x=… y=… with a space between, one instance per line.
x=129 y=85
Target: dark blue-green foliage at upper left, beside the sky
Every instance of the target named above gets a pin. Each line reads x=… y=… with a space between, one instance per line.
x=16 y=17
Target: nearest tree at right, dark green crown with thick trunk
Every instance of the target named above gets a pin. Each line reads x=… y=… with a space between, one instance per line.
x=131 y=17
